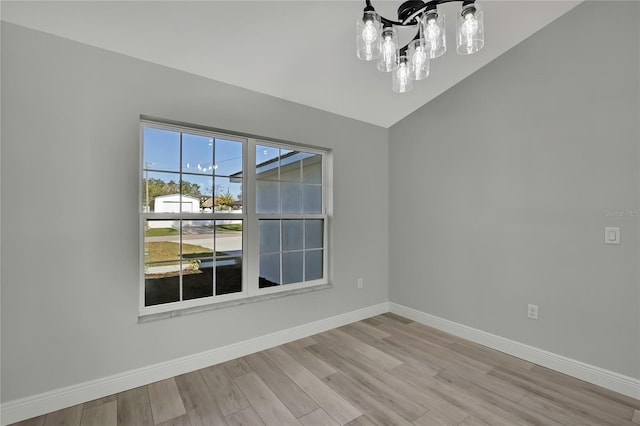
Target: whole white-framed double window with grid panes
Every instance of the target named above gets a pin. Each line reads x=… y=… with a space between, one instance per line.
x=203 y=242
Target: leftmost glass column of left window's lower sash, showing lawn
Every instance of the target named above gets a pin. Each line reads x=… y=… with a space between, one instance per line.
x=162 y=261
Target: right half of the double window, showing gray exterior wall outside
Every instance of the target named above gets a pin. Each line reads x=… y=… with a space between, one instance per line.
x=290 y=215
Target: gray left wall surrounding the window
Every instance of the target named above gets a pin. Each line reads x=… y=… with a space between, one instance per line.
x=70 y=153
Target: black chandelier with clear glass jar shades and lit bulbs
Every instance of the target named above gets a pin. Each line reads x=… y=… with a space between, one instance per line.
x=377 y=38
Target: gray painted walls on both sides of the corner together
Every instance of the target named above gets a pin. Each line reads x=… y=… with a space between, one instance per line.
x=498 y=191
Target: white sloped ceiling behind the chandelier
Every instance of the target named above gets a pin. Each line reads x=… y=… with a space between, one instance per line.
x=301 y=51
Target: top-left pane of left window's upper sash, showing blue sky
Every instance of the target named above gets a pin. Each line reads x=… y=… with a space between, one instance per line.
x=161 y=150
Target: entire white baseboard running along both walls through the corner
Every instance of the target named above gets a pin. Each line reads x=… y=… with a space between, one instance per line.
x=25 y=408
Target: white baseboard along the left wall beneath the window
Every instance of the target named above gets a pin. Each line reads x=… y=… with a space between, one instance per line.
x=25 y=408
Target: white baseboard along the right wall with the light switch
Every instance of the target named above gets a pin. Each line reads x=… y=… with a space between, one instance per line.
x=599 y=376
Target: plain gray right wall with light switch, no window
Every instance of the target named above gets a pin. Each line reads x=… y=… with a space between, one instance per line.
x=501 y=184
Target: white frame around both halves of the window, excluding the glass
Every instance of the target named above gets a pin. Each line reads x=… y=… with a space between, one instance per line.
x=250 y=219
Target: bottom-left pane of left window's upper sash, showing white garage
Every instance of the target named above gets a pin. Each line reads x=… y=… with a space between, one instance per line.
x=156 y=187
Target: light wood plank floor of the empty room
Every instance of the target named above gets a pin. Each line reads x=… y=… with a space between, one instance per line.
x=385 y=370
